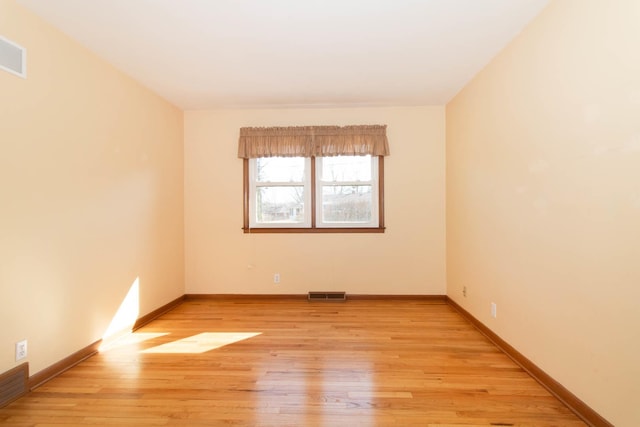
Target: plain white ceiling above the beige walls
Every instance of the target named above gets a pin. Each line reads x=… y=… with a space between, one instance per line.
x=202 y=54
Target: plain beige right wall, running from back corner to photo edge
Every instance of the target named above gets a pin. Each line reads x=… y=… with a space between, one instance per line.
x=543 y=199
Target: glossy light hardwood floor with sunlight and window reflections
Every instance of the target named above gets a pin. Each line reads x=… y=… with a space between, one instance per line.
x=295 y=363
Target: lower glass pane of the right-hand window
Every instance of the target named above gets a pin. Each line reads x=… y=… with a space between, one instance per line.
x=346 y=204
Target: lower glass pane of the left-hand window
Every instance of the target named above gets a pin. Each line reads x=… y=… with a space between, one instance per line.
x=280 y=204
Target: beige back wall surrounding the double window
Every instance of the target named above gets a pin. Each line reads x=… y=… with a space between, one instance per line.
x=407 y=259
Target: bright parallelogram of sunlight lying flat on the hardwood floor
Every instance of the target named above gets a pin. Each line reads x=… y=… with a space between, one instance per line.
x=202 y=343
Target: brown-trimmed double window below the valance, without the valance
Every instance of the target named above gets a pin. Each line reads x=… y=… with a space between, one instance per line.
x=343 y=193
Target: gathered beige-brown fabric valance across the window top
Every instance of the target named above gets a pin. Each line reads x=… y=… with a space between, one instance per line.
x=308 y=141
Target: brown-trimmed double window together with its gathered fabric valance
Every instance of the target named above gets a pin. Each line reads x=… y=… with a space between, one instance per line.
x=313 y=179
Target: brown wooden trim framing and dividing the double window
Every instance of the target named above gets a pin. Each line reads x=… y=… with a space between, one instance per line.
x=313 y=228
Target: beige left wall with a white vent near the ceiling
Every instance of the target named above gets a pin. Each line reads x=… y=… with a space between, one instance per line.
x=91 y=190
